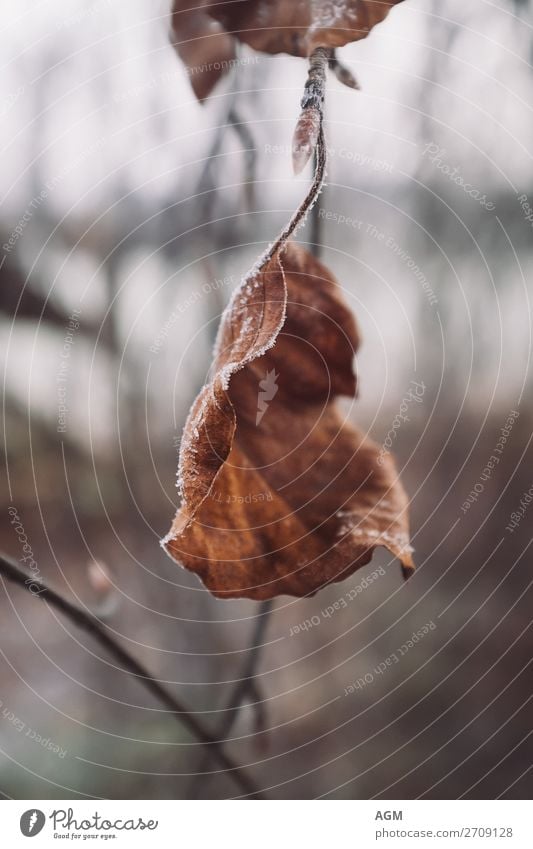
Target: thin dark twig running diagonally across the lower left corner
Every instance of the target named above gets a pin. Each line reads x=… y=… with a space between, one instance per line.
x=88 y=622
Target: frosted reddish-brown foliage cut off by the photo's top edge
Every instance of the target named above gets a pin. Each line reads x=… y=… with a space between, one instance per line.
x=205 y=33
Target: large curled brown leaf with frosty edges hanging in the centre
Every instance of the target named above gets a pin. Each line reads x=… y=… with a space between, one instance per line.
x=280 y=493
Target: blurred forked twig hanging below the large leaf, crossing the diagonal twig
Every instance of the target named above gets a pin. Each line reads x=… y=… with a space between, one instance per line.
x=247 y=684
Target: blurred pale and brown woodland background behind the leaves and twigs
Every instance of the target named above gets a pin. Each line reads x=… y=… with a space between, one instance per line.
x=129 y=213
